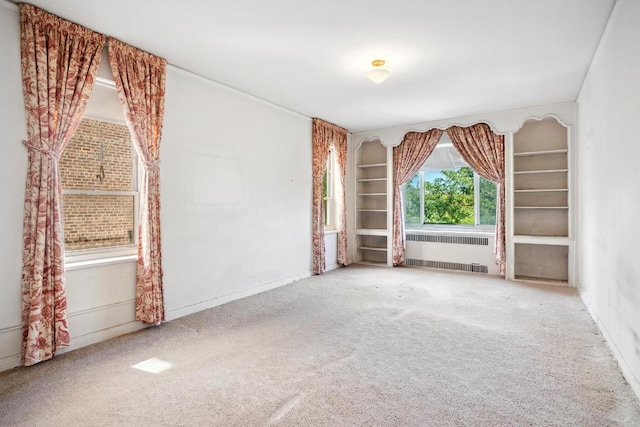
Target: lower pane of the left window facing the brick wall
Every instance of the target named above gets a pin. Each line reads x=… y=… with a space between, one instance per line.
x=97 y=221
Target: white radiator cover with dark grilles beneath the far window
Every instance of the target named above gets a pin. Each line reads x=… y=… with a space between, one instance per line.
x=449 y=252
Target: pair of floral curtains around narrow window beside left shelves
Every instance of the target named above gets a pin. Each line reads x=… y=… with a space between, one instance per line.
x=325 y=135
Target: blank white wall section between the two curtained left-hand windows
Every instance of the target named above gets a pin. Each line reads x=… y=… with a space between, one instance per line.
x=225 y=237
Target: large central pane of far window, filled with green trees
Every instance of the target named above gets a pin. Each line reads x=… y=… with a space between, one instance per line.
x=448 y=196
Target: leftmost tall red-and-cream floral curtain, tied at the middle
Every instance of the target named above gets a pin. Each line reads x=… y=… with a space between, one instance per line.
x=59 y=62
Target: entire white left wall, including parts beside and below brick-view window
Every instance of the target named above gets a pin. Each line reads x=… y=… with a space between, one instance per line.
x=224 y=237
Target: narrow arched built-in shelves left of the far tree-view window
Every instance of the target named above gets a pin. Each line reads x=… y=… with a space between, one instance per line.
x=373 y=219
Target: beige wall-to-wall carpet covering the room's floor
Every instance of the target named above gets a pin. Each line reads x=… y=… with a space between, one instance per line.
x=358 y=346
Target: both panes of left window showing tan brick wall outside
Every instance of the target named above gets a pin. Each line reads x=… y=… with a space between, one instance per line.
x=98 y=171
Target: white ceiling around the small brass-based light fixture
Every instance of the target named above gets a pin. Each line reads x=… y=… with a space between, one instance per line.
x=449 y=58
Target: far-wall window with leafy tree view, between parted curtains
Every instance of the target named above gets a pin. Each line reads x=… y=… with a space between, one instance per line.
x=446 y=191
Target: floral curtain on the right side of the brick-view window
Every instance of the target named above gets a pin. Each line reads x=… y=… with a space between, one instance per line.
x=140 y=82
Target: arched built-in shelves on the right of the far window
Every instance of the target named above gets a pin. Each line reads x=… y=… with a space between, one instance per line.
x=541 y=201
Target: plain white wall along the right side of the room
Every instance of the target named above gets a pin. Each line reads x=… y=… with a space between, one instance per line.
x=608 y=177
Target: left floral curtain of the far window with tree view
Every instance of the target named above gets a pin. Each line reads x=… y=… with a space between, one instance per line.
x=408 y=157
